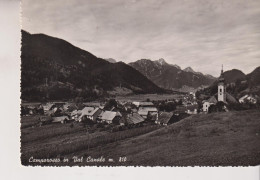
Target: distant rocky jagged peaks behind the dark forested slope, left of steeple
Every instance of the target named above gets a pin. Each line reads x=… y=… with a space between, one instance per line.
x=170 y=76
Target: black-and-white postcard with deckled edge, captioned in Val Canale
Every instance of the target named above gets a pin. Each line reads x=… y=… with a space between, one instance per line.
x=140 y=83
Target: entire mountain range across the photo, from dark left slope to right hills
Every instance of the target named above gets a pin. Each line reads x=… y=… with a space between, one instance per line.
x=54 y=69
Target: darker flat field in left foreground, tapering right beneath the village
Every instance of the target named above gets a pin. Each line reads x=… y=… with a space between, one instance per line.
x=67 y=142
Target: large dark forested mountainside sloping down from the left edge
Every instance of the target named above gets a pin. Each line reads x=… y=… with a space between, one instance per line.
x=55 y=69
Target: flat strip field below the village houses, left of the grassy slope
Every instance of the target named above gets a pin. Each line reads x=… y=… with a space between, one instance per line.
x=56 y=140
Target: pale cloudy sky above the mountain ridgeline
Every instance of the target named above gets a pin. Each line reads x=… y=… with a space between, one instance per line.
x=202 y=34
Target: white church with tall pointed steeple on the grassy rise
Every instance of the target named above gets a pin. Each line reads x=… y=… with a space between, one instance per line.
x=221 y=96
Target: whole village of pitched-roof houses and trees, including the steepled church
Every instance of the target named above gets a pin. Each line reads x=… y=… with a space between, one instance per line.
x=119 y=115
